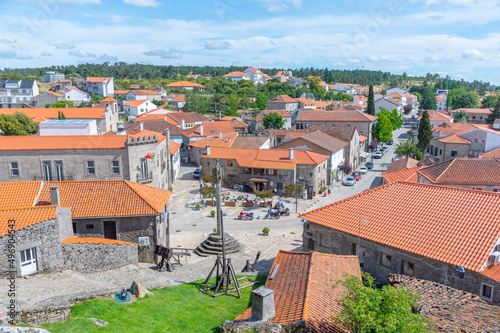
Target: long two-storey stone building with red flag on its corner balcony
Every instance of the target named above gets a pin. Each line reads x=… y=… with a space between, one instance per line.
x=139 y=157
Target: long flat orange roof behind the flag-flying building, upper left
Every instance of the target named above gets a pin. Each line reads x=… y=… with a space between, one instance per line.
x=52 y=113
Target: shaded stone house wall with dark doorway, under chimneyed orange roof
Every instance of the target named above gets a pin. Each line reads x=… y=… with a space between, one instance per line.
x=128 y=229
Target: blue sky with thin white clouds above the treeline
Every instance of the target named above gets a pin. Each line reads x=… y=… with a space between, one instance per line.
x=459 y=38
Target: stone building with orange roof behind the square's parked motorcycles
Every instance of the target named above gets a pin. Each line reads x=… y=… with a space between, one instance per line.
x=263 y=169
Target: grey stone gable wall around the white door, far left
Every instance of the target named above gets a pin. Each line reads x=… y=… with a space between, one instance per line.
x=46 y=237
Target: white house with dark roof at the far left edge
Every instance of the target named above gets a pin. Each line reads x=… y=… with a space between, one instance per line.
x=18 y=93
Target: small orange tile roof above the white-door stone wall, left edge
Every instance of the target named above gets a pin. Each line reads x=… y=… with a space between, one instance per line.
x=25 y=217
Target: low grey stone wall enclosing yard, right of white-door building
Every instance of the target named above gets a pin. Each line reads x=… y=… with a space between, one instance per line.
x=92 y=257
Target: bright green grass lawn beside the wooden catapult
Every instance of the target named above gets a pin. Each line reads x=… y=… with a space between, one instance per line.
x=181 y=308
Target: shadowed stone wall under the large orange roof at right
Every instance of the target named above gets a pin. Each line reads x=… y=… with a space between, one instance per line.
x=323 y=239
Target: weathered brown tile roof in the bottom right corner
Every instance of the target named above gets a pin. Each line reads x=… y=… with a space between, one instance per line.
x=449 y=309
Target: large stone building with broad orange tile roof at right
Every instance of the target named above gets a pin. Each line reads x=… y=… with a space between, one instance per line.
x=442 y=234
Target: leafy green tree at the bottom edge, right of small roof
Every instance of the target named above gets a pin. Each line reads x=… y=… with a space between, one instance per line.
x=367 y=309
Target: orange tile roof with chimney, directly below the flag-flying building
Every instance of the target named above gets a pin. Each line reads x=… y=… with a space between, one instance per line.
x=99 y=198
